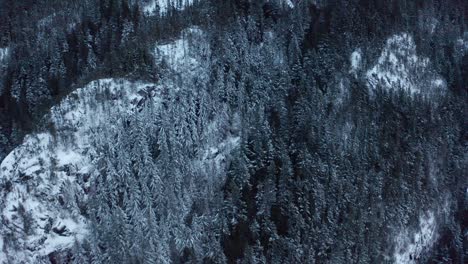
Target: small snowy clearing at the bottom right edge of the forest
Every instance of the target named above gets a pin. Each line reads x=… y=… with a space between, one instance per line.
x=410 y=245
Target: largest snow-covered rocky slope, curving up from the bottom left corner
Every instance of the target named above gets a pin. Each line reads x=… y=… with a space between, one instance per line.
x=42 y=178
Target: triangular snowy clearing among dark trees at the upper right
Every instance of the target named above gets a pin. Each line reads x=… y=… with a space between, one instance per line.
x=400 y=67
